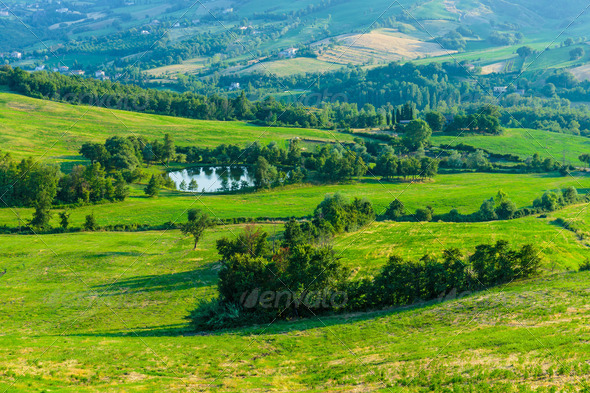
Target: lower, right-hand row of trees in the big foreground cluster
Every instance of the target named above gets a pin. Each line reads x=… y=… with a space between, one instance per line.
x=402 y=282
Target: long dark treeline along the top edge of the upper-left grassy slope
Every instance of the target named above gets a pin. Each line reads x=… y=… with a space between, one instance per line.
x=268 y=111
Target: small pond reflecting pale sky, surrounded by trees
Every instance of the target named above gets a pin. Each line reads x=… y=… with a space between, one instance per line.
x=213 y=178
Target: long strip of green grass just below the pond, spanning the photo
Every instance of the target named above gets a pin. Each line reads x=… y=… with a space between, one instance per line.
x=464 y=192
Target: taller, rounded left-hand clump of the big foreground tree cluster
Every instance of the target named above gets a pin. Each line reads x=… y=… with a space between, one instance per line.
x=257 y=285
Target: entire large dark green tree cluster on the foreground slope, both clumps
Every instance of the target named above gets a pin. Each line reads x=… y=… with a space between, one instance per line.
x=259 y=283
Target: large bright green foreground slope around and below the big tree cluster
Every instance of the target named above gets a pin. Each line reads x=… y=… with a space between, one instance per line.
x=65 y=329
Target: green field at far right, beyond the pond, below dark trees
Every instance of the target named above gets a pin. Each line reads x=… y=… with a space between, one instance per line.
x=524 y=143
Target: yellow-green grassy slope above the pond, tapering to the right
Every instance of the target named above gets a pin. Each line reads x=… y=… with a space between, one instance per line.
x=34 y=127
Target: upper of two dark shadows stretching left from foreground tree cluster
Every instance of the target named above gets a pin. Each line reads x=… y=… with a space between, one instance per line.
x=203 y=276
